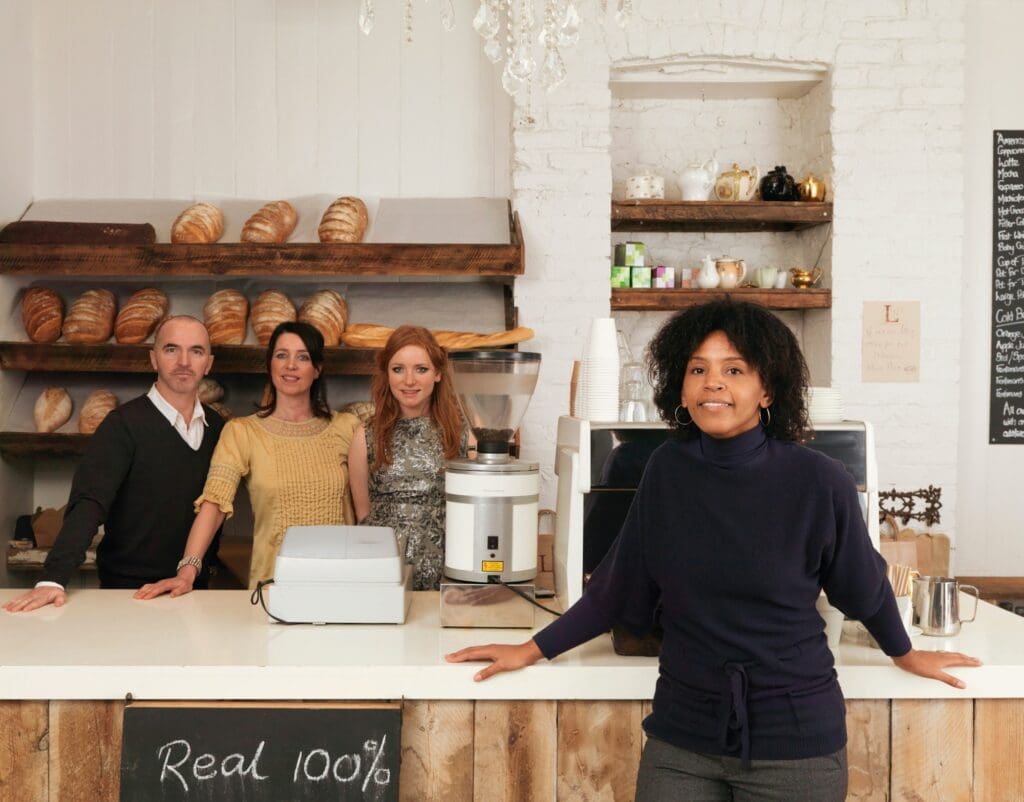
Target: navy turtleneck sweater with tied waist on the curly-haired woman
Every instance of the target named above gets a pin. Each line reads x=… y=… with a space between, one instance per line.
x=734 y=540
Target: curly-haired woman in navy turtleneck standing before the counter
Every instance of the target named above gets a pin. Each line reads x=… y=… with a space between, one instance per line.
x=735 y=531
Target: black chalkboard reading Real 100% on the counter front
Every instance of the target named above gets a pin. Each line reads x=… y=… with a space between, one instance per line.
x=253 y=753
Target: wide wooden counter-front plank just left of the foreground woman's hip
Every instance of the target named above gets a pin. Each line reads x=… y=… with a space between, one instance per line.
x=599 y=751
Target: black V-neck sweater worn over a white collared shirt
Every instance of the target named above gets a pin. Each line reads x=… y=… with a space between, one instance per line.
x=139 y=479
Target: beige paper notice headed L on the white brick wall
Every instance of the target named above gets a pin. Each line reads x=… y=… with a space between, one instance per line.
x=891 y=342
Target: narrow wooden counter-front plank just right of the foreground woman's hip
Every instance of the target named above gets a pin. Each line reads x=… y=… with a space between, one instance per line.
x=868 y=750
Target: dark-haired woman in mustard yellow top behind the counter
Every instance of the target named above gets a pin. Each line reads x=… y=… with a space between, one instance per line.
x=293 y=453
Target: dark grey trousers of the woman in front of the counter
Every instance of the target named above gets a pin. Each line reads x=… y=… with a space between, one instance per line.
x=668 y=773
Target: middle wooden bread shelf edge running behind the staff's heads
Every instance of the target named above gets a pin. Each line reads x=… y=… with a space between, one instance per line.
x=112 y=358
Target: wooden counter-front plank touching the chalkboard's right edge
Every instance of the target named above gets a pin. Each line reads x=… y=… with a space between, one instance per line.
x=438 y=751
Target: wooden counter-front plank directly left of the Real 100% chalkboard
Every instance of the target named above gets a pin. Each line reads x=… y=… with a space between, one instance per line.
x=86 y=751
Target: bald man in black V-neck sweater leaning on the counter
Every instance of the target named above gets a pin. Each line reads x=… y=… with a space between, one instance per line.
x=143 y=470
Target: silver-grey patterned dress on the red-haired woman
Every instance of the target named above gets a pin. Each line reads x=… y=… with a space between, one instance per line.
x=409 y=495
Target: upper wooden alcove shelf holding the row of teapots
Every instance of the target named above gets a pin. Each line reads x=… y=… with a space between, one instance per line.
x=717 y=216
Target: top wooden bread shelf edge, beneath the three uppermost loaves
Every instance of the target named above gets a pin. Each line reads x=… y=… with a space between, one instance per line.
x=287 y=261
